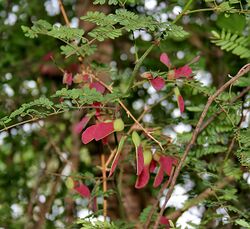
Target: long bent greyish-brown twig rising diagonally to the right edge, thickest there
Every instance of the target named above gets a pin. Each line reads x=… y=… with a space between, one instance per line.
x=245 y=69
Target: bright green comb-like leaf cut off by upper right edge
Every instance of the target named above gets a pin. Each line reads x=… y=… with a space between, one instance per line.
x=231 y=42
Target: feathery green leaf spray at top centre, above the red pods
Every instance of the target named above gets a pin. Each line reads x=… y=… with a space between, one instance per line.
x=114 y=25
